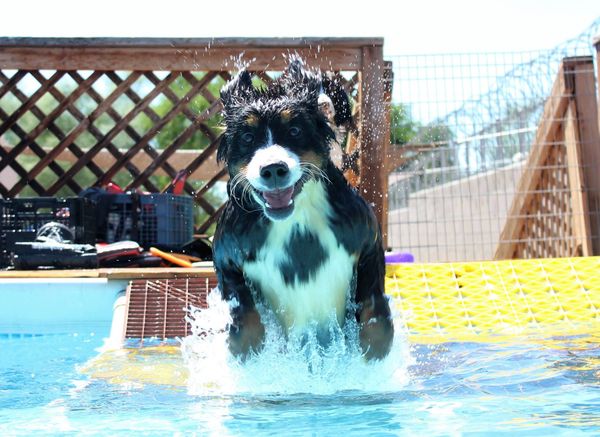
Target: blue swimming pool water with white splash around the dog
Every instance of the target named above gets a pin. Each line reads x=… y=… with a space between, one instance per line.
x=57 y=383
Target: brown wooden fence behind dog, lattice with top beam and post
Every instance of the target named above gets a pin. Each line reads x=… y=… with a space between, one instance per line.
x=84 y=60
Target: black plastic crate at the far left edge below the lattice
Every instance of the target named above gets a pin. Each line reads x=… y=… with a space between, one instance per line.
x=20 y=219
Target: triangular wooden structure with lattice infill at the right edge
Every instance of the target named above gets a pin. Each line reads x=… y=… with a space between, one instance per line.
x=555 y=211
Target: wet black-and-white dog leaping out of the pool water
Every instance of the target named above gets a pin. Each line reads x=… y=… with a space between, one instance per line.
x=294 y=235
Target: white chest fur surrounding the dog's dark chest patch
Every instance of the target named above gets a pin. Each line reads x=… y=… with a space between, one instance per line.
x=324 y=293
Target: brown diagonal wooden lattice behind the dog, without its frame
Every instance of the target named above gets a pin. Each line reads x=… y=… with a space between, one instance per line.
x=63 y=131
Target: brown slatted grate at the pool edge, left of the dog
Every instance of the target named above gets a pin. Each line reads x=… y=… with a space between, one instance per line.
x=157 y=308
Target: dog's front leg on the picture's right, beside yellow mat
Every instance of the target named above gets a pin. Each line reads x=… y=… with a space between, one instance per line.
x=374 y=316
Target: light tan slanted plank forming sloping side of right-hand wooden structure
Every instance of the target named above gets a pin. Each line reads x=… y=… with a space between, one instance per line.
x=546 y=135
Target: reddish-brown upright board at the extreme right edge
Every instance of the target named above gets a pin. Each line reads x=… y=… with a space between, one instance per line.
x=586 y=113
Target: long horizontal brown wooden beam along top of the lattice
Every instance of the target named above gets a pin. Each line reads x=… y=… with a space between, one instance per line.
x=174 y=58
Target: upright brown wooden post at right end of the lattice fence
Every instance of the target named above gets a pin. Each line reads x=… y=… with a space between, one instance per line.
x=372 y=131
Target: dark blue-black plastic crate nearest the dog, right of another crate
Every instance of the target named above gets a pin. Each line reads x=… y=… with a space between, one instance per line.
x=150 y=219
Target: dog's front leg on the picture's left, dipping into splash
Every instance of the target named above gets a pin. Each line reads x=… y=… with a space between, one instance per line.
x=246 y=333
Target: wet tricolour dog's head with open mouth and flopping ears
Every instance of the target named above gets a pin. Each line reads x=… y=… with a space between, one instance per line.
x=276 y=138
